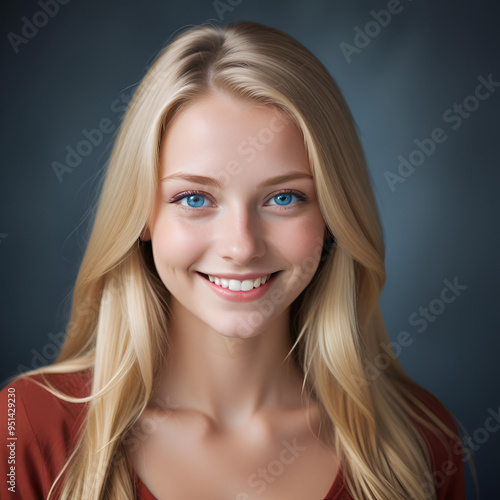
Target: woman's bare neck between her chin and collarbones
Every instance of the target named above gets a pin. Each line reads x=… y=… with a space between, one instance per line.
x=229 y=379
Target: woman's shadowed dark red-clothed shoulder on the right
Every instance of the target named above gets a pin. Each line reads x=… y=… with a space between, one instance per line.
x=445 y=447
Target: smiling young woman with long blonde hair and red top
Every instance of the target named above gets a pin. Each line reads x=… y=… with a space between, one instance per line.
x=225 y=320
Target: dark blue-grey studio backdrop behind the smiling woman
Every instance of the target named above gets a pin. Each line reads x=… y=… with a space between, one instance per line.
x=440 y=224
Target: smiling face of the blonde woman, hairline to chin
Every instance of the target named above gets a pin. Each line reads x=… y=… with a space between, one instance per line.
x=237 y=231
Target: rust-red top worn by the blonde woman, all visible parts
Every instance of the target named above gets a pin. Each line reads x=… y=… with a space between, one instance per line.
x=38 y=431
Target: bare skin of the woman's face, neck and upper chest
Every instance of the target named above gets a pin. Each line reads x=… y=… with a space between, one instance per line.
x=228 y=399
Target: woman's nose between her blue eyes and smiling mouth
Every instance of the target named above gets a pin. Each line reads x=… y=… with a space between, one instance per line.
x=241 y=236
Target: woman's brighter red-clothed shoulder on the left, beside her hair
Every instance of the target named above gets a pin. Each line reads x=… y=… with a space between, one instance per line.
x=41 y=429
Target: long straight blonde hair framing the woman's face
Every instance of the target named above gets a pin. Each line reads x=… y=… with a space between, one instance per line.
x=119 y=321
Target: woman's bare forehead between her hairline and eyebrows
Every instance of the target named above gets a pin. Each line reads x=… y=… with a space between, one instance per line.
x=217 y=132
